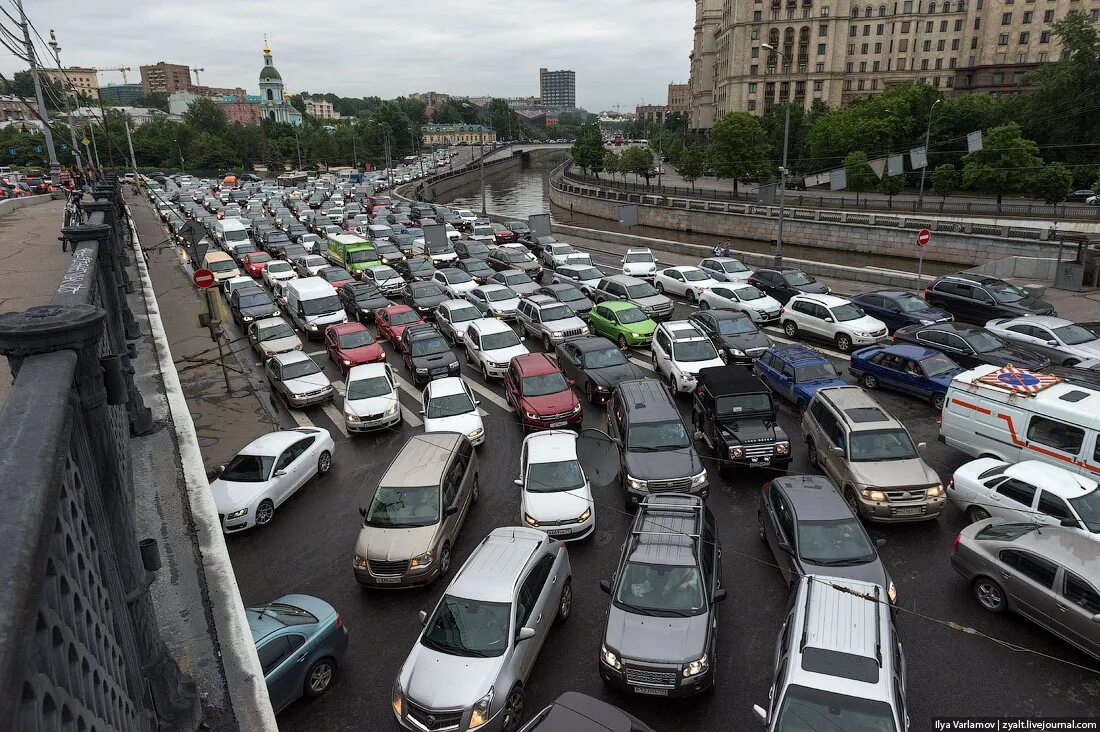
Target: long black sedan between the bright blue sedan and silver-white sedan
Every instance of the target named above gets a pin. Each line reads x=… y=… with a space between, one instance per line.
x=971 y=346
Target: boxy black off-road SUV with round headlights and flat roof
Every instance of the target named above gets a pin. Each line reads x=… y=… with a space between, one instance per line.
x=734 y=414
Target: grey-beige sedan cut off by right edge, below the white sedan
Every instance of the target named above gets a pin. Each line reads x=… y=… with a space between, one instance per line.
x=1036 y=572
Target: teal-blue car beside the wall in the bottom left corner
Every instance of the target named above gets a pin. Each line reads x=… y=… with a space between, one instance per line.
x=302 y=642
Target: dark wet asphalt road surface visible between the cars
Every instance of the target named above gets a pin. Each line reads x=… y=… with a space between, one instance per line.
x=309 y=549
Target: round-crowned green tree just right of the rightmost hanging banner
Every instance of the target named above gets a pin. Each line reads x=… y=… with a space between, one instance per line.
x=1006 y=163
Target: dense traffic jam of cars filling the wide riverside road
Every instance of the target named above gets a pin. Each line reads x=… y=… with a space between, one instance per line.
x=634 y=450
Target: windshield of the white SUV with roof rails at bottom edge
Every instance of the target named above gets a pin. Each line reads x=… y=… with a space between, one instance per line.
x=815 y=711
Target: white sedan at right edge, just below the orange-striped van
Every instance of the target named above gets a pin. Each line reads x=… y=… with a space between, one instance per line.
x=1027 y=491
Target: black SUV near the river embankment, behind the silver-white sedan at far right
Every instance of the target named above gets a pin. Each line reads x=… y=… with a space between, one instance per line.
x=978 y=299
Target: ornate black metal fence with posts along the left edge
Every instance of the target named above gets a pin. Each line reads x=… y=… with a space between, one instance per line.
x=81 y=648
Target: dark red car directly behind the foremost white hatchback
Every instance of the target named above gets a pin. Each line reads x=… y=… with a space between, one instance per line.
x=535 y=386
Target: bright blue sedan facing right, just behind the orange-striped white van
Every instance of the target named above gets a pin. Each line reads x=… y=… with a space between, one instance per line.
x=921 y=373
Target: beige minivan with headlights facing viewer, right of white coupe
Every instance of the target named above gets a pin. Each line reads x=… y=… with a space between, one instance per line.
x=417 y=511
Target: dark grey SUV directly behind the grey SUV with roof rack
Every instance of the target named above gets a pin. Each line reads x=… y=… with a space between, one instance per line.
x=656 y=452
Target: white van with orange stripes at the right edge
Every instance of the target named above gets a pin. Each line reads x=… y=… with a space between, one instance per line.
x=1016 y=416
